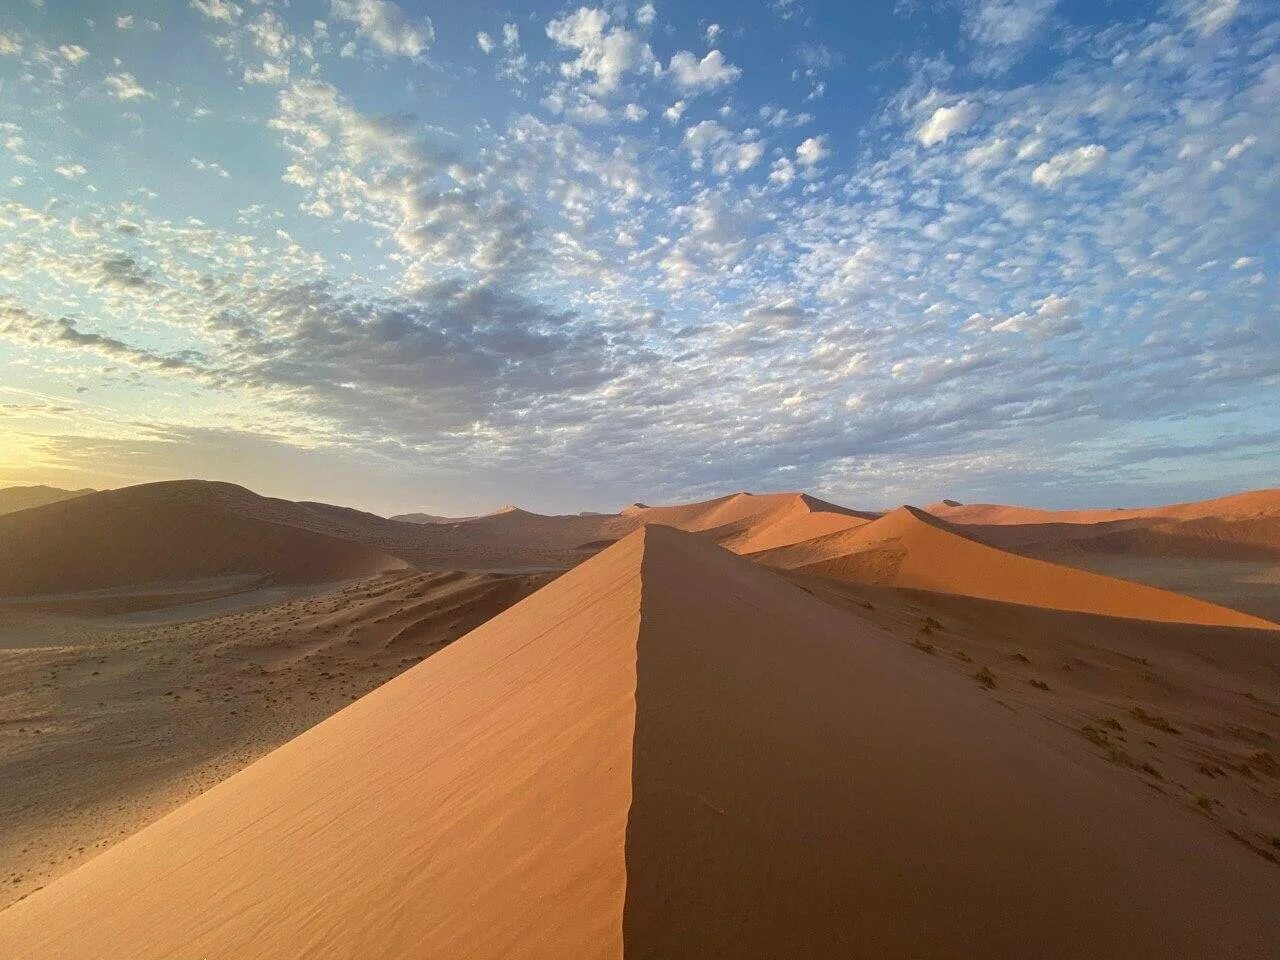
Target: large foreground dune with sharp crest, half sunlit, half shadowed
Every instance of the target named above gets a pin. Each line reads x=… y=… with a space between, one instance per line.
x=669 y=752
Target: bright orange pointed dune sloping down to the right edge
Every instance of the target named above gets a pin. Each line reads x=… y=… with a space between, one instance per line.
x=911 y=548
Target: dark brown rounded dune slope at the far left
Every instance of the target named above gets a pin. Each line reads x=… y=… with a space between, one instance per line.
x=164 y=532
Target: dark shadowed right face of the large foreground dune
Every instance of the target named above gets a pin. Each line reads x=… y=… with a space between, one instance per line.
x=767 y=724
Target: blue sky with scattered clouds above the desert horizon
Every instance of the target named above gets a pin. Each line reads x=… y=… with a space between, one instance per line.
x=450 y=255
